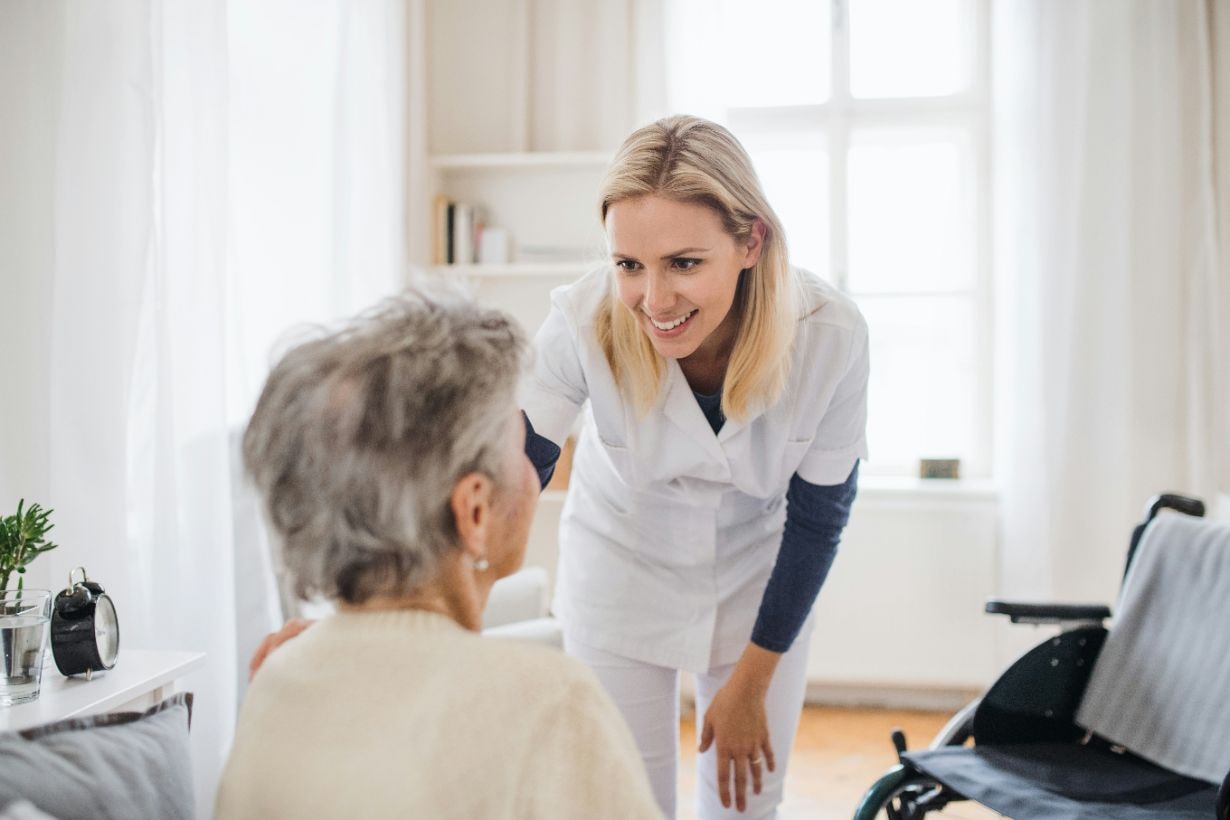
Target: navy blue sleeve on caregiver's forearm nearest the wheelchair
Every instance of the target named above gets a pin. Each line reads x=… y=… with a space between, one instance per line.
x=815 y=519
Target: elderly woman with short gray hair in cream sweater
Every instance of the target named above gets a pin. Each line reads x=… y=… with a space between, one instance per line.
x=392 y=463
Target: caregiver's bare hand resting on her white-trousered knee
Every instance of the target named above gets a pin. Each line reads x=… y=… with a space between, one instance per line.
x=736 y=722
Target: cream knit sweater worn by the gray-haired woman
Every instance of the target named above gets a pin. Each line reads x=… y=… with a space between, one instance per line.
x=407 y=715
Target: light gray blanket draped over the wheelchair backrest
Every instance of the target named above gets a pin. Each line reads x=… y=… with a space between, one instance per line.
x=1162 y=685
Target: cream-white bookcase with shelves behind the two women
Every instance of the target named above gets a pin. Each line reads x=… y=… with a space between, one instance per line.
x=515 y=128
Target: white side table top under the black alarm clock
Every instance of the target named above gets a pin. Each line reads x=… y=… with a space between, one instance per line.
x=141 y=679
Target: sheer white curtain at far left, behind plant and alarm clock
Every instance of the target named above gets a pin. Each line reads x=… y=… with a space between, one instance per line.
x=131 y=250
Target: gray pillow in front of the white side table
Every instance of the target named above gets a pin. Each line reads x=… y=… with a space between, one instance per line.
x=124 y=765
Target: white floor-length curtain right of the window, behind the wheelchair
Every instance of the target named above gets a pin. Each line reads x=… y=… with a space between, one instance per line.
x=1113 y=282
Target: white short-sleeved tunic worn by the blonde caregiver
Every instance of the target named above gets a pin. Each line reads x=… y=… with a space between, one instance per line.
x=670 y=533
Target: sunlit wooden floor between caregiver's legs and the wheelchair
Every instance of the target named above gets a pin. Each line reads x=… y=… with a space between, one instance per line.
x=838 y=754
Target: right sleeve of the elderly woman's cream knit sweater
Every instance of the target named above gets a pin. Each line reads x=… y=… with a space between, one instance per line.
x=585 y=736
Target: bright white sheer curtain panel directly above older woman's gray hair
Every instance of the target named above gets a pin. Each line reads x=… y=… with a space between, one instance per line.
x=317 y=171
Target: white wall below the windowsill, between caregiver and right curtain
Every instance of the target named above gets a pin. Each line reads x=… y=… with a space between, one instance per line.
x=903 y=607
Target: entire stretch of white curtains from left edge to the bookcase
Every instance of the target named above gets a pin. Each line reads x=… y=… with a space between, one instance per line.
x=181 y=181
